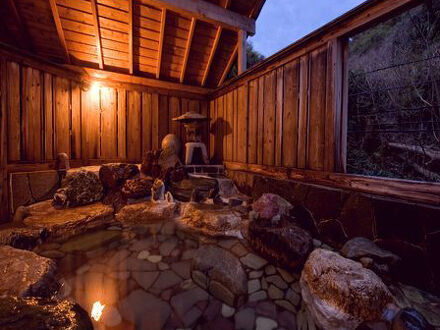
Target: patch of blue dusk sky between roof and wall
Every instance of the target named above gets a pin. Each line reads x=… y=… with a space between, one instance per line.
x=282 y=22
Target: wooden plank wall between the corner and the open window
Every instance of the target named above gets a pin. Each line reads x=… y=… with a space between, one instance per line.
x=283 y=117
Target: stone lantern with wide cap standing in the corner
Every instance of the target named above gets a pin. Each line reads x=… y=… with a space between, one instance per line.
x=193 y=123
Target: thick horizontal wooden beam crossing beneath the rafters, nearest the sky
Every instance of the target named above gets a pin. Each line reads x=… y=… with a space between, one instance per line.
x=208 y=12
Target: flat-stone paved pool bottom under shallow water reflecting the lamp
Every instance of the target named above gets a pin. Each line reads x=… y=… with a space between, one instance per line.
x=143 y=277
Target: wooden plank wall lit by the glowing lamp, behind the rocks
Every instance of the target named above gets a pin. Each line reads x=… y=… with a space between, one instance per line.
x=48 y=114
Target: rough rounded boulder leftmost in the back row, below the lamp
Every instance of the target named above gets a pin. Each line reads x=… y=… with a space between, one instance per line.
x=79 y=188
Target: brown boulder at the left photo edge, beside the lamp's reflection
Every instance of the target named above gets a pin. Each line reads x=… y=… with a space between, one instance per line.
x=26 y=274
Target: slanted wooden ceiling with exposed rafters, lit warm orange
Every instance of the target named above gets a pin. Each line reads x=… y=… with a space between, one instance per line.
x=185 y=41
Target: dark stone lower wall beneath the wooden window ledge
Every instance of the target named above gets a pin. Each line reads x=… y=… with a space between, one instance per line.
x=412 y=231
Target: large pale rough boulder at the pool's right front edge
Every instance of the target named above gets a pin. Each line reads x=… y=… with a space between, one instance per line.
x=340 y=293
